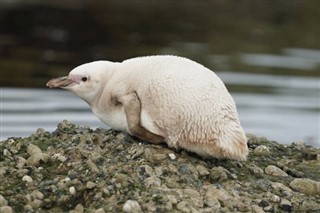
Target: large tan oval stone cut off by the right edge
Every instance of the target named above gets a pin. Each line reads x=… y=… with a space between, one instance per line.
x=306 y=186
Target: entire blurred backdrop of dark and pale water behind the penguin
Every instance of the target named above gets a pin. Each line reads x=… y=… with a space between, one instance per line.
x=266 y=52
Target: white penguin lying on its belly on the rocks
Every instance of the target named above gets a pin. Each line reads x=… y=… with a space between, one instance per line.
x=162 y=99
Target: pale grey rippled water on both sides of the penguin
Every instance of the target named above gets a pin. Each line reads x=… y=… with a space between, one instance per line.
x=289 y=113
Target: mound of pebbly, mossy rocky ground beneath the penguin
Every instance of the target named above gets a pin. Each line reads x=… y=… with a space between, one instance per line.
x=77 y=169
